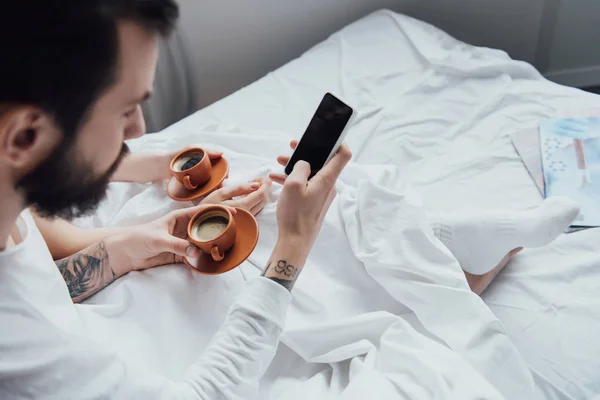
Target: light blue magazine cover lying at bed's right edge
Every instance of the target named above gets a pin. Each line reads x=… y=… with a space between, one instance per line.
x=570 y=151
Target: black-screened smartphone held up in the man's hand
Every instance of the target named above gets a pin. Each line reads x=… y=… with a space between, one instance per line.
x=324 y=135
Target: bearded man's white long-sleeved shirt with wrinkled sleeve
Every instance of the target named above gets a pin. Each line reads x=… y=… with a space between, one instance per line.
x=44 y=351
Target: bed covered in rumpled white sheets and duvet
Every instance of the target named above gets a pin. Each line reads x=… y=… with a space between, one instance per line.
x=433 y=126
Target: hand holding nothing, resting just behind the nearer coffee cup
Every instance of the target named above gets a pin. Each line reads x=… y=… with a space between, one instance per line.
x=252 y=196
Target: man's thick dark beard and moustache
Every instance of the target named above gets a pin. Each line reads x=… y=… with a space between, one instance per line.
x=61 y=187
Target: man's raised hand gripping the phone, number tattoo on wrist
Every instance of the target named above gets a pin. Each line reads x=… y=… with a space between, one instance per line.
x=300 y=212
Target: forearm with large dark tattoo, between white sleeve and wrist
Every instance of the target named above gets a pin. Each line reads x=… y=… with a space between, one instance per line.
x=86 y=272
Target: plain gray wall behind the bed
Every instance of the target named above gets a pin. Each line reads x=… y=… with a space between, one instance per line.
x=235 y=42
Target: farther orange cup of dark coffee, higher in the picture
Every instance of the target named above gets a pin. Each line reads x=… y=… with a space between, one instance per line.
x=192 y=167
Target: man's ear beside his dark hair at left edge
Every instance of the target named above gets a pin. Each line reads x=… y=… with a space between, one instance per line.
x=27 y=137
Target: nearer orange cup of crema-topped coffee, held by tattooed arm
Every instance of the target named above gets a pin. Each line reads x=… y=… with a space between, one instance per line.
x=213 y=230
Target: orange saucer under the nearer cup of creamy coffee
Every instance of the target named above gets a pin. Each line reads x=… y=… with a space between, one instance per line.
x=245 y=242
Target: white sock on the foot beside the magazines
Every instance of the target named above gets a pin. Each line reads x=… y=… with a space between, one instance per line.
x=480 y=240
